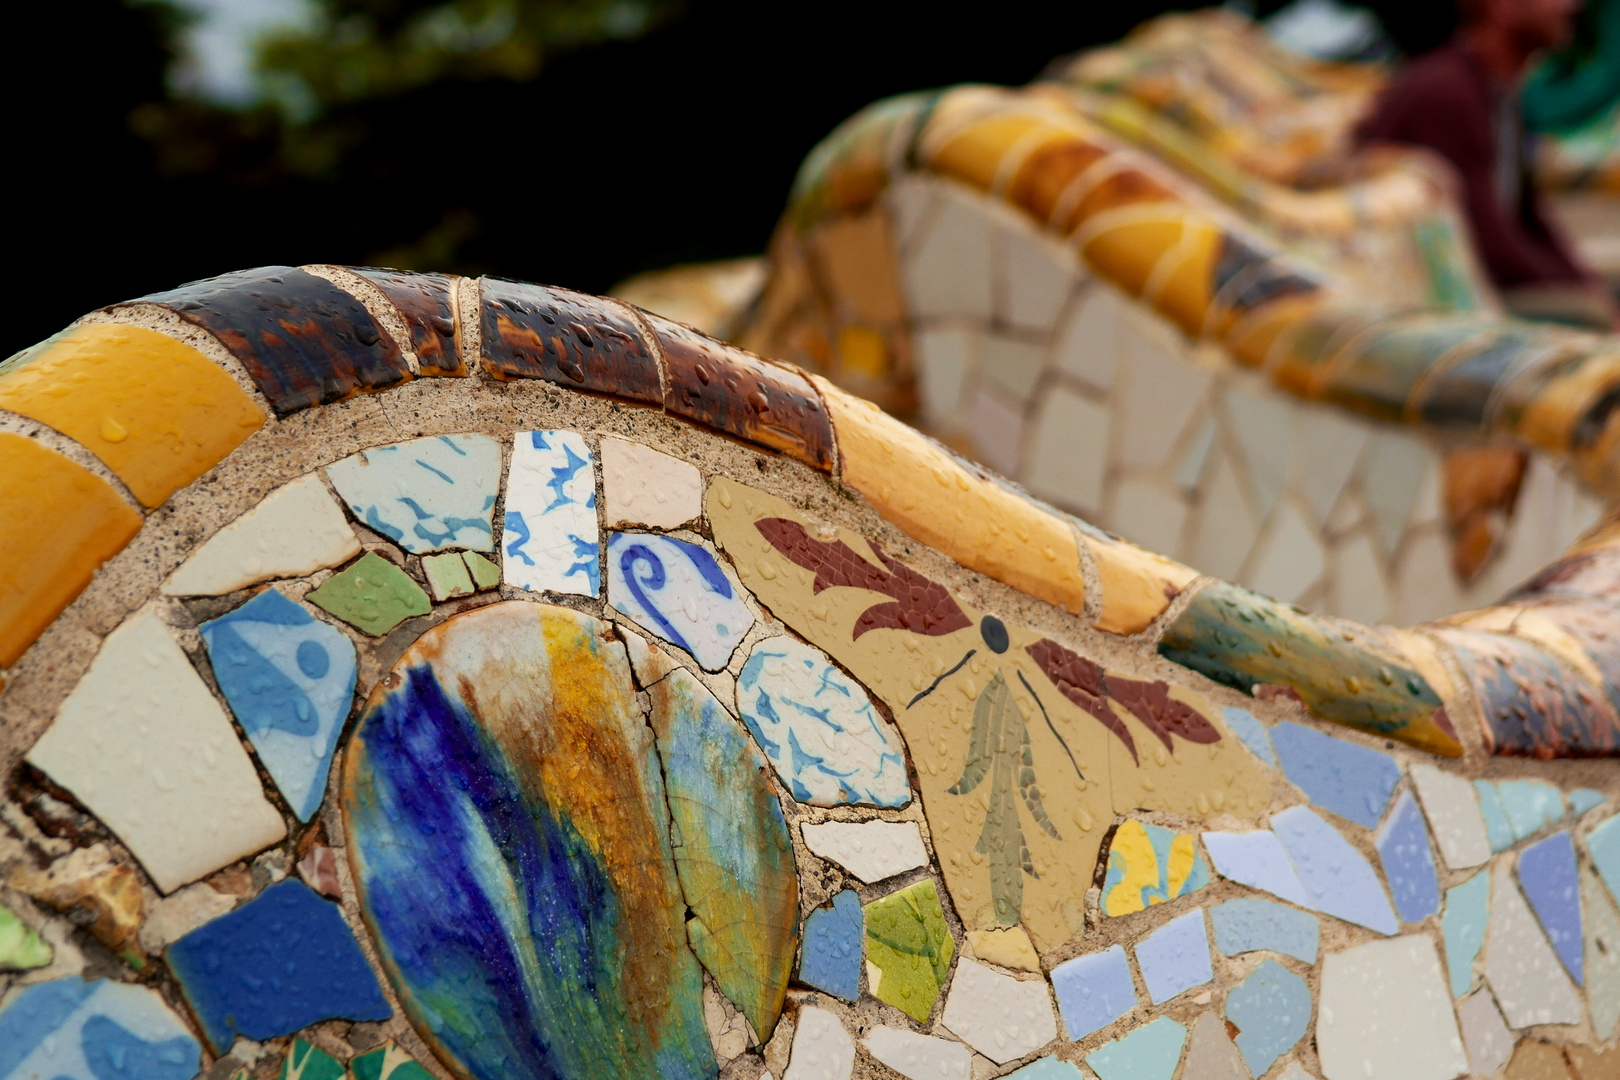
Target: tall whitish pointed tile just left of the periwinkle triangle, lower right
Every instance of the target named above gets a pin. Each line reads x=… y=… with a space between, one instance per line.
x=1520 y=964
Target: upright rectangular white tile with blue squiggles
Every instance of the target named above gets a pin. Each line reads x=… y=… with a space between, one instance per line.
x=552 y=542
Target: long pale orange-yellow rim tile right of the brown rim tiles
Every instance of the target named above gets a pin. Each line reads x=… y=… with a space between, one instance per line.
x=934 y=500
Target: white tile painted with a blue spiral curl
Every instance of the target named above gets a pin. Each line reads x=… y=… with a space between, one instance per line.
x=678 y=592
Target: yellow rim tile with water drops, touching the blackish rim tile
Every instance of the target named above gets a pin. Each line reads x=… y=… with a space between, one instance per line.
x=155 y=410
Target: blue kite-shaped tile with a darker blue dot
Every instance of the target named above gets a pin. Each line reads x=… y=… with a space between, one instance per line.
x=291 y=681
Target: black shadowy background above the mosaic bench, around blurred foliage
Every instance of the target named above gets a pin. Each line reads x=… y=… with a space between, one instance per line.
x=616 y=158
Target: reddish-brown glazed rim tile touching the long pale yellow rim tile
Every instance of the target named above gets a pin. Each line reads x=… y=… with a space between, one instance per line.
x=743 y=396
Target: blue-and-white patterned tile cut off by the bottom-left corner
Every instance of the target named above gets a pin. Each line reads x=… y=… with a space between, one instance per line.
x=74 y=1031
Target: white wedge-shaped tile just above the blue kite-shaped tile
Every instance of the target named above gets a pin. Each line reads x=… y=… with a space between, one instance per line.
x=299 y=529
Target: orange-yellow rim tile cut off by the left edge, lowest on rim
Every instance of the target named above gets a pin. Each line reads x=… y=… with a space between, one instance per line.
x=61 y=522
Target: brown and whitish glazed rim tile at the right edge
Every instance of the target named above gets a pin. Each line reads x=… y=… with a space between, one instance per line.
x=1533 y=704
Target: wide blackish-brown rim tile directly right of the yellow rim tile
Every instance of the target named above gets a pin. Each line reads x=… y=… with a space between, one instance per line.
x=304 y=341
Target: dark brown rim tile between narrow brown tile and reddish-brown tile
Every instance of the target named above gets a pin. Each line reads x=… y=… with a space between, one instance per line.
x=571 y=339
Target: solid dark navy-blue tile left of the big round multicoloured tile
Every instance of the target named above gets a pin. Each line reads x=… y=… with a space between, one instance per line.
x=275 y=966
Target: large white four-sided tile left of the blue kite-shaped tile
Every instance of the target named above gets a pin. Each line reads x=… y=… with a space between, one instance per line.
x=145 y=746
